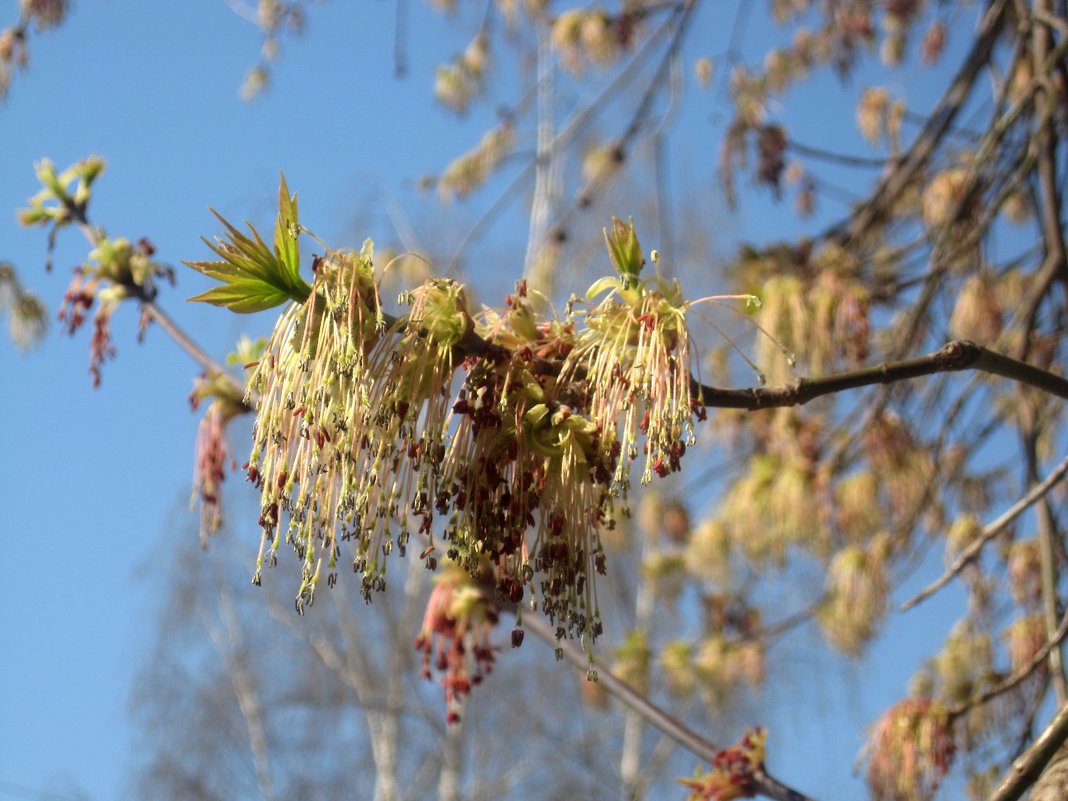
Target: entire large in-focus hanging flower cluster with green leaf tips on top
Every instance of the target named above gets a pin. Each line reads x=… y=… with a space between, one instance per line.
x=504 y=444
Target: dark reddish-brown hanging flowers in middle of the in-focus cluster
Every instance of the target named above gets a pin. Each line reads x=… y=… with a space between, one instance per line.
x=527 y=477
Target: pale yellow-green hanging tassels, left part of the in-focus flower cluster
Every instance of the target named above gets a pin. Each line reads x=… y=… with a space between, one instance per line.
x=351 y=423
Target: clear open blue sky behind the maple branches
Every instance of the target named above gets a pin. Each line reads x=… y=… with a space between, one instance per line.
x=96 y=484
